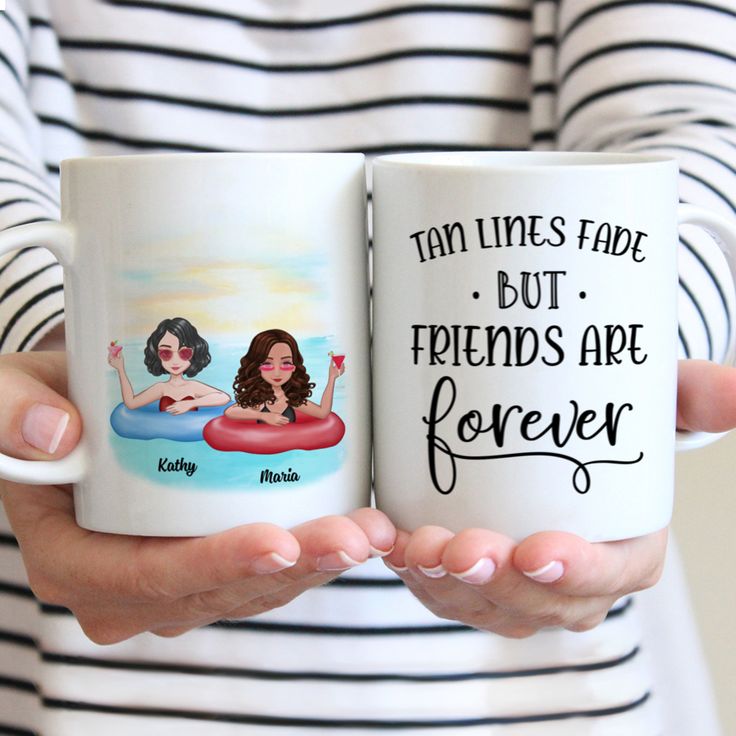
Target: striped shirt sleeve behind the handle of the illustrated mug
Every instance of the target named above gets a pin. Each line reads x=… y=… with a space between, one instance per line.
x=31 y=297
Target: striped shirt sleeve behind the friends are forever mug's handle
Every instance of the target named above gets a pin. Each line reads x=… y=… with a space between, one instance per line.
x=659 y=77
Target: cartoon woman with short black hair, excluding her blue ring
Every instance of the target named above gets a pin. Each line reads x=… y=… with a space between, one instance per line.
x=174 y=348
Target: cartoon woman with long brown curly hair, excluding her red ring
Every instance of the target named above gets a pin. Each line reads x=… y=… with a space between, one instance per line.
x=272 y=382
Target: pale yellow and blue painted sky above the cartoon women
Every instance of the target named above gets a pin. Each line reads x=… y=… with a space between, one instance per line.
x=280 y=283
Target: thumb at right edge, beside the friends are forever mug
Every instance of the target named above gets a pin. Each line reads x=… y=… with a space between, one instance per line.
x=706 y=396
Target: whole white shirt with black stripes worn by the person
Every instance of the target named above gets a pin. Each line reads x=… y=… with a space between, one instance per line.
x=94 y=77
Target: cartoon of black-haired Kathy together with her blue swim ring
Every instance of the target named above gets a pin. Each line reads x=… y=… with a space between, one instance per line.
x=176 y=349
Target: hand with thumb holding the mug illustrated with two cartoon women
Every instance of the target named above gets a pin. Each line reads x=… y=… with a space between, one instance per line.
x=119 y=586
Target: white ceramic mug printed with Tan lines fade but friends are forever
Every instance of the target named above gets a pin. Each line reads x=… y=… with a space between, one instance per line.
x=525 y=340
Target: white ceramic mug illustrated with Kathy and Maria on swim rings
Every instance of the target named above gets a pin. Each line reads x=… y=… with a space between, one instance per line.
x=192 y=282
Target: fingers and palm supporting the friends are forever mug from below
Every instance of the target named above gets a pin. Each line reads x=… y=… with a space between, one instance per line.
x=551 y=579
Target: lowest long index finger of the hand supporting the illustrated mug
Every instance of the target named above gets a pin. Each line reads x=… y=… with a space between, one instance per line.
x=126 y=569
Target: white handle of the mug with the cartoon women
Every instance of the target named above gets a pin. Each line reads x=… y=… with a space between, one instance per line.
x=59 y=239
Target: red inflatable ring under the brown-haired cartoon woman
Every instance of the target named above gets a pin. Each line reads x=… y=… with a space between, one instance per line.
x=307 y=433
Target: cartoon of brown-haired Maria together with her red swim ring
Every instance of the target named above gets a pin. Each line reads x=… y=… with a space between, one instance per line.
x=272 y=388
